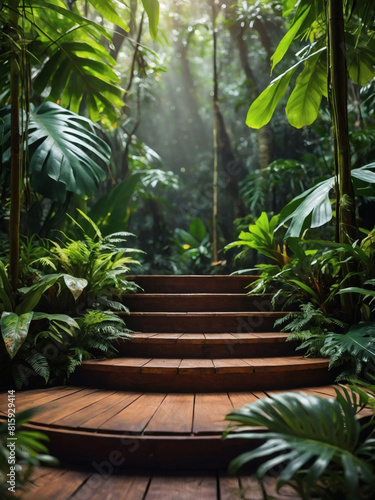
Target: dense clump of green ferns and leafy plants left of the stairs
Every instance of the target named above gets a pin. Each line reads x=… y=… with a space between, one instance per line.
x=51 y=326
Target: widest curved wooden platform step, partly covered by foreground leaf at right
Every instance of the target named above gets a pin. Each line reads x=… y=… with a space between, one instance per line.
x=112 y=430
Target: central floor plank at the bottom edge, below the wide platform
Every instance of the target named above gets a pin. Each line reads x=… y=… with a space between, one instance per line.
x=182 y=488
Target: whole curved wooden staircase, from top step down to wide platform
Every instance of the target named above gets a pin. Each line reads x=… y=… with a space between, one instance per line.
x=202 y=348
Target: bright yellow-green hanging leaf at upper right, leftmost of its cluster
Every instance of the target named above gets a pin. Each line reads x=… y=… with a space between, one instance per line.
x=262 y=109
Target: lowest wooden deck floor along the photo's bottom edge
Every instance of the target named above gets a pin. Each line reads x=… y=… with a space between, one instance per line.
x=99 y=483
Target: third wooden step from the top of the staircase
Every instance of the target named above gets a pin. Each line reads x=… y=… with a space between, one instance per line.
x=202 y=322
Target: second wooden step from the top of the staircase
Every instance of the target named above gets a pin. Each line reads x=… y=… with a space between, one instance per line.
x=175 y=302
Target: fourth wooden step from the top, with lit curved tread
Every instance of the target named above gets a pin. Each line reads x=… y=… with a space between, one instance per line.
x=209 y=345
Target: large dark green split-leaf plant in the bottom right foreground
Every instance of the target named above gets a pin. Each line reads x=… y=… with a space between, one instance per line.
x=324 y=449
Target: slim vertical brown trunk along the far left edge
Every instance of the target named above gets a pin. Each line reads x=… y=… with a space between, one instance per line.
x=15 y=180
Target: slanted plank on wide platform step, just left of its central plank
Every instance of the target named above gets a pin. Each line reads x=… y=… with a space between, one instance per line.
x=135 y=417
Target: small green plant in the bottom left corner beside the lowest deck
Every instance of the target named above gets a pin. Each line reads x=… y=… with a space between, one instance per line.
x=29 y=453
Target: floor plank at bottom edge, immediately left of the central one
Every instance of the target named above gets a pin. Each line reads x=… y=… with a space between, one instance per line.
x=101 y=487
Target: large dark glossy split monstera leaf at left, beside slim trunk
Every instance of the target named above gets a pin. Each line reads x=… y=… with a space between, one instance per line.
x=65 y=153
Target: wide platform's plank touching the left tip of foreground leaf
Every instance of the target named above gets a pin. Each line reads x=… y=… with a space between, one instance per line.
x=210 y=411
